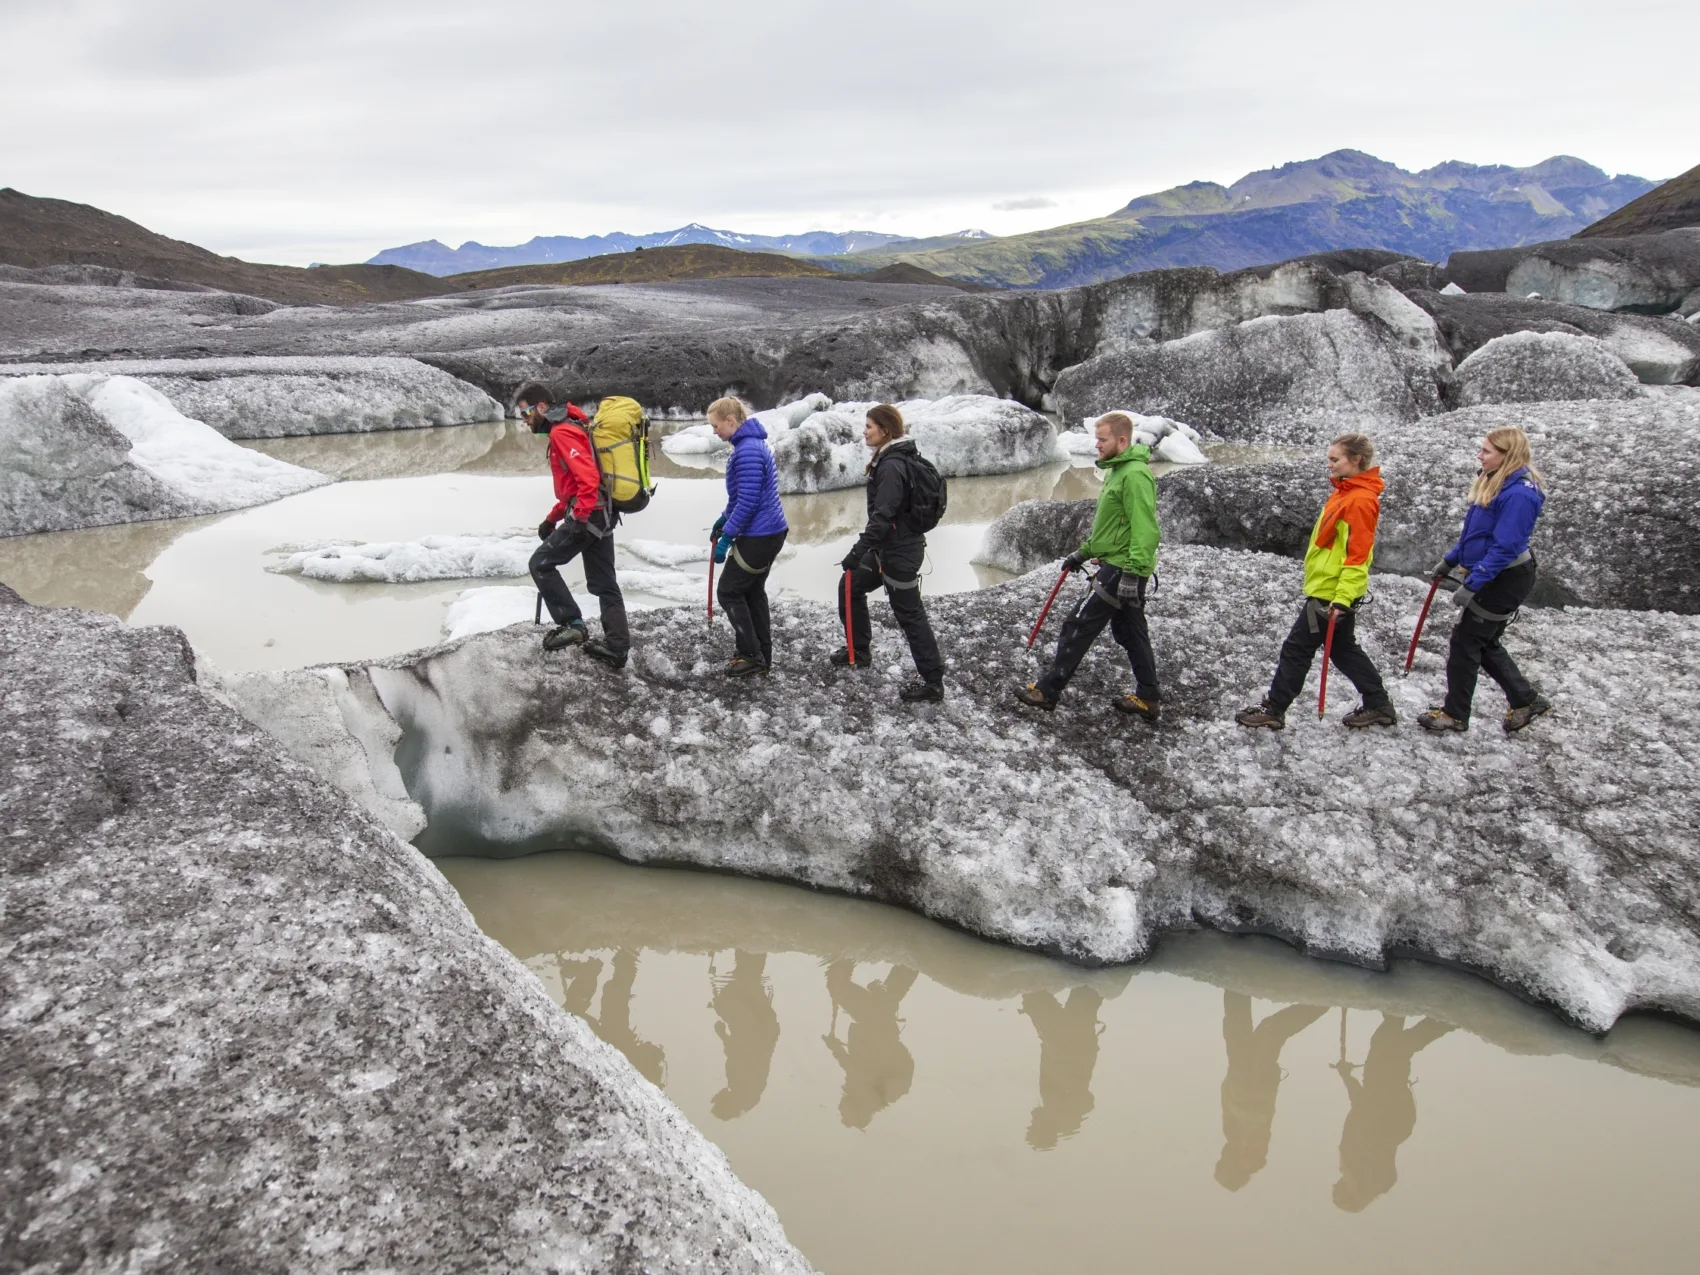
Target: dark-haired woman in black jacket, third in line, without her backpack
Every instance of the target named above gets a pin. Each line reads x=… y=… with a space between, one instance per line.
x=888 y=553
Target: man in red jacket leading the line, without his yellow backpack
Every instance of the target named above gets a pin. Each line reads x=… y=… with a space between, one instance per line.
x=581 y=526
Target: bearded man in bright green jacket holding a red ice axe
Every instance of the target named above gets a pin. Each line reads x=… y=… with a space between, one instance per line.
x=1125 y=543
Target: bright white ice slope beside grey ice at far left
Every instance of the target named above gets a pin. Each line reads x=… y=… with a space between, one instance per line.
x=188 y=456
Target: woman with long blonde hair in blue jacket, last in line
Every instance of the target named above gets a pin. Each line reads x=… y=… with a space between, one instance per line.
x=1500 y=574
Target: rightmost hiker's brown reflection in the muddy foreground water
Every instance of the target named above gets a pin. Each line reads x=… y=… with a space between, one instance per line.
x=1383 y=1111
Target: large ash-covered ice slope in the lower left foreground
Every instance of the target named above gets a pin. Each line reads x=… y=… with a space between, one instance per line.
x=224 y=973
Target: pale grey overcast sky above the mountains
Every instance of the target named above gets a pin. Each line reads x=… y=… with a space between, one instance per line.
x=327 y=130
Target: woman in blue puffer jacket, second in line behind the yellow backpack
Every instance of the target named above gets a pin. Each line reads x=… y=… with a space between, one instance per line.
x=749 y=535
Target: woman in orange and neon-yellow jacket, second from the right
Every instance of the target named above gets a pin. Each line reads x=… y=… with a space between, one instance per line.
x=1337 y=575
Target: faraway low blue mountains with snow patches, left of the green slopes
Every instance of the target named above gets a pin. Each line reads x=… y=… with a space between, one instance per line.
x=439 y=259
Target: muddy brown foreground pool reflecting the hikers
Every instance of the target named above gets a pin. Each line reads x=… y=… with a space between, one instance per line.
x=912 y=1099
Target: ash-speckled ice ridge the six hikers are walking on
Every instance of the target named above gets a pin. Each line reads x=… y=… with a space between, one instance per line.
x=1560 y=863
